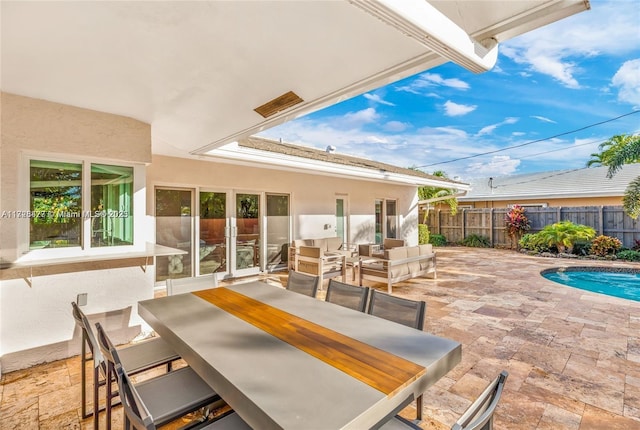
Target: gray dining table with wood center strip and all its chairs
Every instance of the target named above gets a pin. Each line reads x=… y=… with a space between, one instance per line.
x=278 y=359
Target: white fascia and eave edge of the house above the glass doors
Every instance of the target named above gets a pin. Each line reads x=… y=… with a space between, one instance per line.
x=235 y=154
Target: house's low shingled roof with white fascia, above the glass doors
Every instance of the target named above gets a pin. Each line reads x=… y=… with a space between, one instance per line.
x=278 y=155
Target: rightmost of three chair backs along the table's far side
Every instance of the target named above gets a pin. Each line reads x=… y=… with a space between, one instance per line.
x=397 y=309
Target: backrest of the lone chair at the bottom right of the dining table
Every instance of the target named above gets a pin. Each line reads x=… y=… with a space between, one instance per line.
x=479 y=416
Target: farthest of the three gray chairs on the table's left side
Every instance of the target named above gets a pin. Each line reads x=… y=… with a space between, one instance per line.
x=138 y=358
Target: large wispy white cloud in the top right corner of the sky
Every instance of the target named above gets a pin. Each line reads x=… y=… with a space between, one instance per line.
x=554 y=49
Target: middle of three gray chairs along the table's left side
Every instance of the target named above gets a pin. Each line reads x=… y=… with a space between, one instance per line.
x=159 y=400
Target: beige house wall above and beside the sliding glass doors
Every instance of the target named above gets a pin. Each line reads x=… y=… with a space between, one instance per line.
x=312 y=195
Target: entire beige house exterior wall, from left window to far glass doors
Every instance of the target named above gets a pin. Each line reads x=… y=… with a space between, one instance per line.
x=36 y=324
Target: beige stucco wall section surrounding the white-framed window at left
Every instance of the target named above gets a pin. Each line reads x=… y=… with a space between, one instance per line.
x=35 y=312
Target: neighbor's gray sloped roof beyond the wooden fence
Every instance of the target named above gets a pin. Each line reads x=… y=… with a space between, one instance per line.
x=584 y=182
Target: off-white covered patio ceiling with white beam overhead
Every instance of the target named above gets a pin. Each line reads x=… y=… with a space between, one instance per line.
x=198 y=70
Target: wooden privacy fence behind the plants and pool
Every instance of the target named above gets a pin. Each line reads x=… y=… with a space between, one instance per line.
x=490 y=223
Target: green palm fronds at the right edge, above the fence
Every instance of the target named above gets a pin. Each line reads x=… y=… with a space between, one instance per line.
x=616 y=152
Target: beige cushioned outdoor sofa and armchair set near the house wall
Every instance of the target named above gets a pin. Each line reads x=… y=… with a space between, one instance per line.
x=393 y=262
